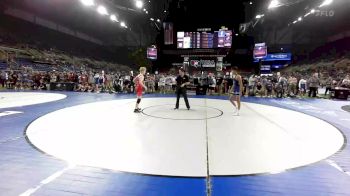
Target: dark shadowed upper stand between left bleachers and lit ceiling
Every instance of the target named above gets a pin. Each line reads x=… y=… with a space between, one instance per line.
x=14 y=31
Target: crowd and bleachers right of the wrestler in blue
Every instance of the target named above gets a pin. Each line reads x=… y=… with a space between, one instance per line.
x=303 y=79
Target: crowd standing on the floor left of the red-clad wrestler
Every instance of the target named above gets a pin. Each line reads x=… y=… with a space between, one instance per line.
x=40 y=76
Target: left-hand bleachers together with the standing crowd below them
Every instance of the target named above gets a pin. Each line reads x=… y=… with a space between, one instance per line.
x=27 y=67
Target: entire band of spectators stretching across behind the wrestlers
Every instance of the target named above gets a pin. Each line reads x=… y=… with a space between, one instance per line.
x=292 y=81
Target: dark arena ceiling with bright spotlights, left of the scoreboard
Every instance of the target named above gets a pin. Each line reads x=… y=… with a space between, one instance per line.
x=72 y=15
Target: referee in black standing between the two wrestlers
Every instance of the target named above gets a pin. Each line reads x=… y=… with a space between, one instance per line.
x=181 y=81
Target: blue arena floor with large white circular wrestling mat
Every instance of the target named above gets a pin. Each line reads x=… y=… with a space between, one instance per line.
x=93 y=144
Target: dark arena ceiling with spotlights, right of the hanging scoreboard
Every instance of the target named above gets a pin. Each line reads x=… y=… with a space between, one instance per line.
x=313 y=32
